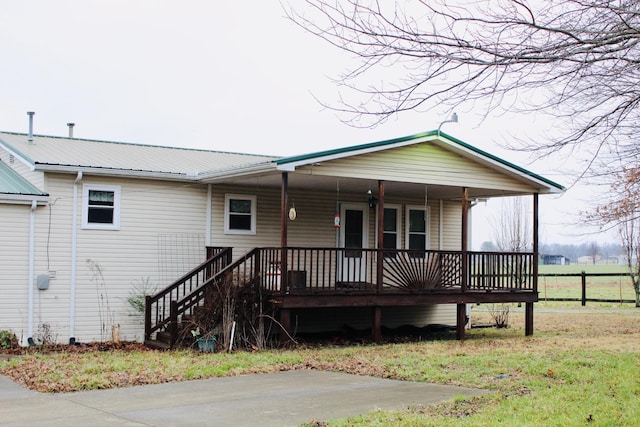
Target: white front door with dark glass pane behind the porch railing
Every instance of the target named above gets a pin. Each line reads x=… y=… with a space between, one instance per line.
x=354 y=236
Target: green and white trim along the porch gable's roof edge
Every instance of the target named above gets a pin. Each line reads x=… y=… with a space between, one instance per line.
x=345 y=150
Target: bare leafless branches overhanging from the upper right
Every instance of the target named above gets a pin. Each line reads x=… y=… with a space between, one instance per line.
x=575 y=60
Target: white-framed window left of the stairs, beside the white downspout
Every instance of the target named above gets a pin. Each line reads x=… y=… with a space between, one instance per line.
x=101 y=207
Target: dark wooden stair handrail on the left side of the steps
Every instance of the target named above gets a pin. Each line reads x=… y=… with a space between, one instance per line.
x=221 y=257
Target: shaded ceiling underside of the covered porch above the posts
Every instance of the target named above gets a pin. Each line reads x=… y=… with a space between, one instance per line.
x=319 y=183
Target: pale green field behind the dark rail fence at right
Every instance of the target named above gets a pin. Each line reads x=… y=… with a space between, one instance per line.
x=615 y=288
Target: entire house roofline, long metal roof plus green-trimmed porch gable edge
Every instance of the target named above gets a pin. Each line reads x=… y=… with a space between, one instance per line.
x=61 y=154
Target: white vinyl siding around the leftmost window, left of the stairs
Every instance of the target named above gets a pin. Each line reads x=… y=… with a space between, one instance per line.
x=159 y=222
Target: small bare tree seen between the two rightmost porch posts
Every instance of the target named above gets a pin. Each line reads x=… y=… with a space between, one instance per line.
x=511 y=226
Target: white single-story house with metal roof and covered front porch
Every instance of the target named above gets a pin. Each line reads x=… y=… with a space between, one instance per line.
x=85 y=222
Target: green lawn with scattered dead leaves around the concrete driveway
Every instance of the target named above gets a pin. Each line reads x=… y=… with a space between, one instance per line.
x=577 y=369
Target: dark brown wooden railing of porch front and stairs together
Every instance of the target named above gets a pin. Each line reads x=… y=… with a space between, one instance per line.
x=337 y=270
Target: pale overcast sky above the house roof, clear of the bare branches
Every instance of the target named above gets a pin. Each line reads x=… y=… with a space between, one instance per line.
x=232 y=76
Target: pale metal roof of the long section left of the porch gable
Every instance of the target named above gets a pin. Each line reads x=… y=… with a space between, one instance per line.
x=68 y=154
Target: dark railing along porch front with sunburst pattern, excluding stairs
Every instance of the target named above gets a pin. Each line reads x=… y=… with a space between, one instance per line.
x=339 y=269
